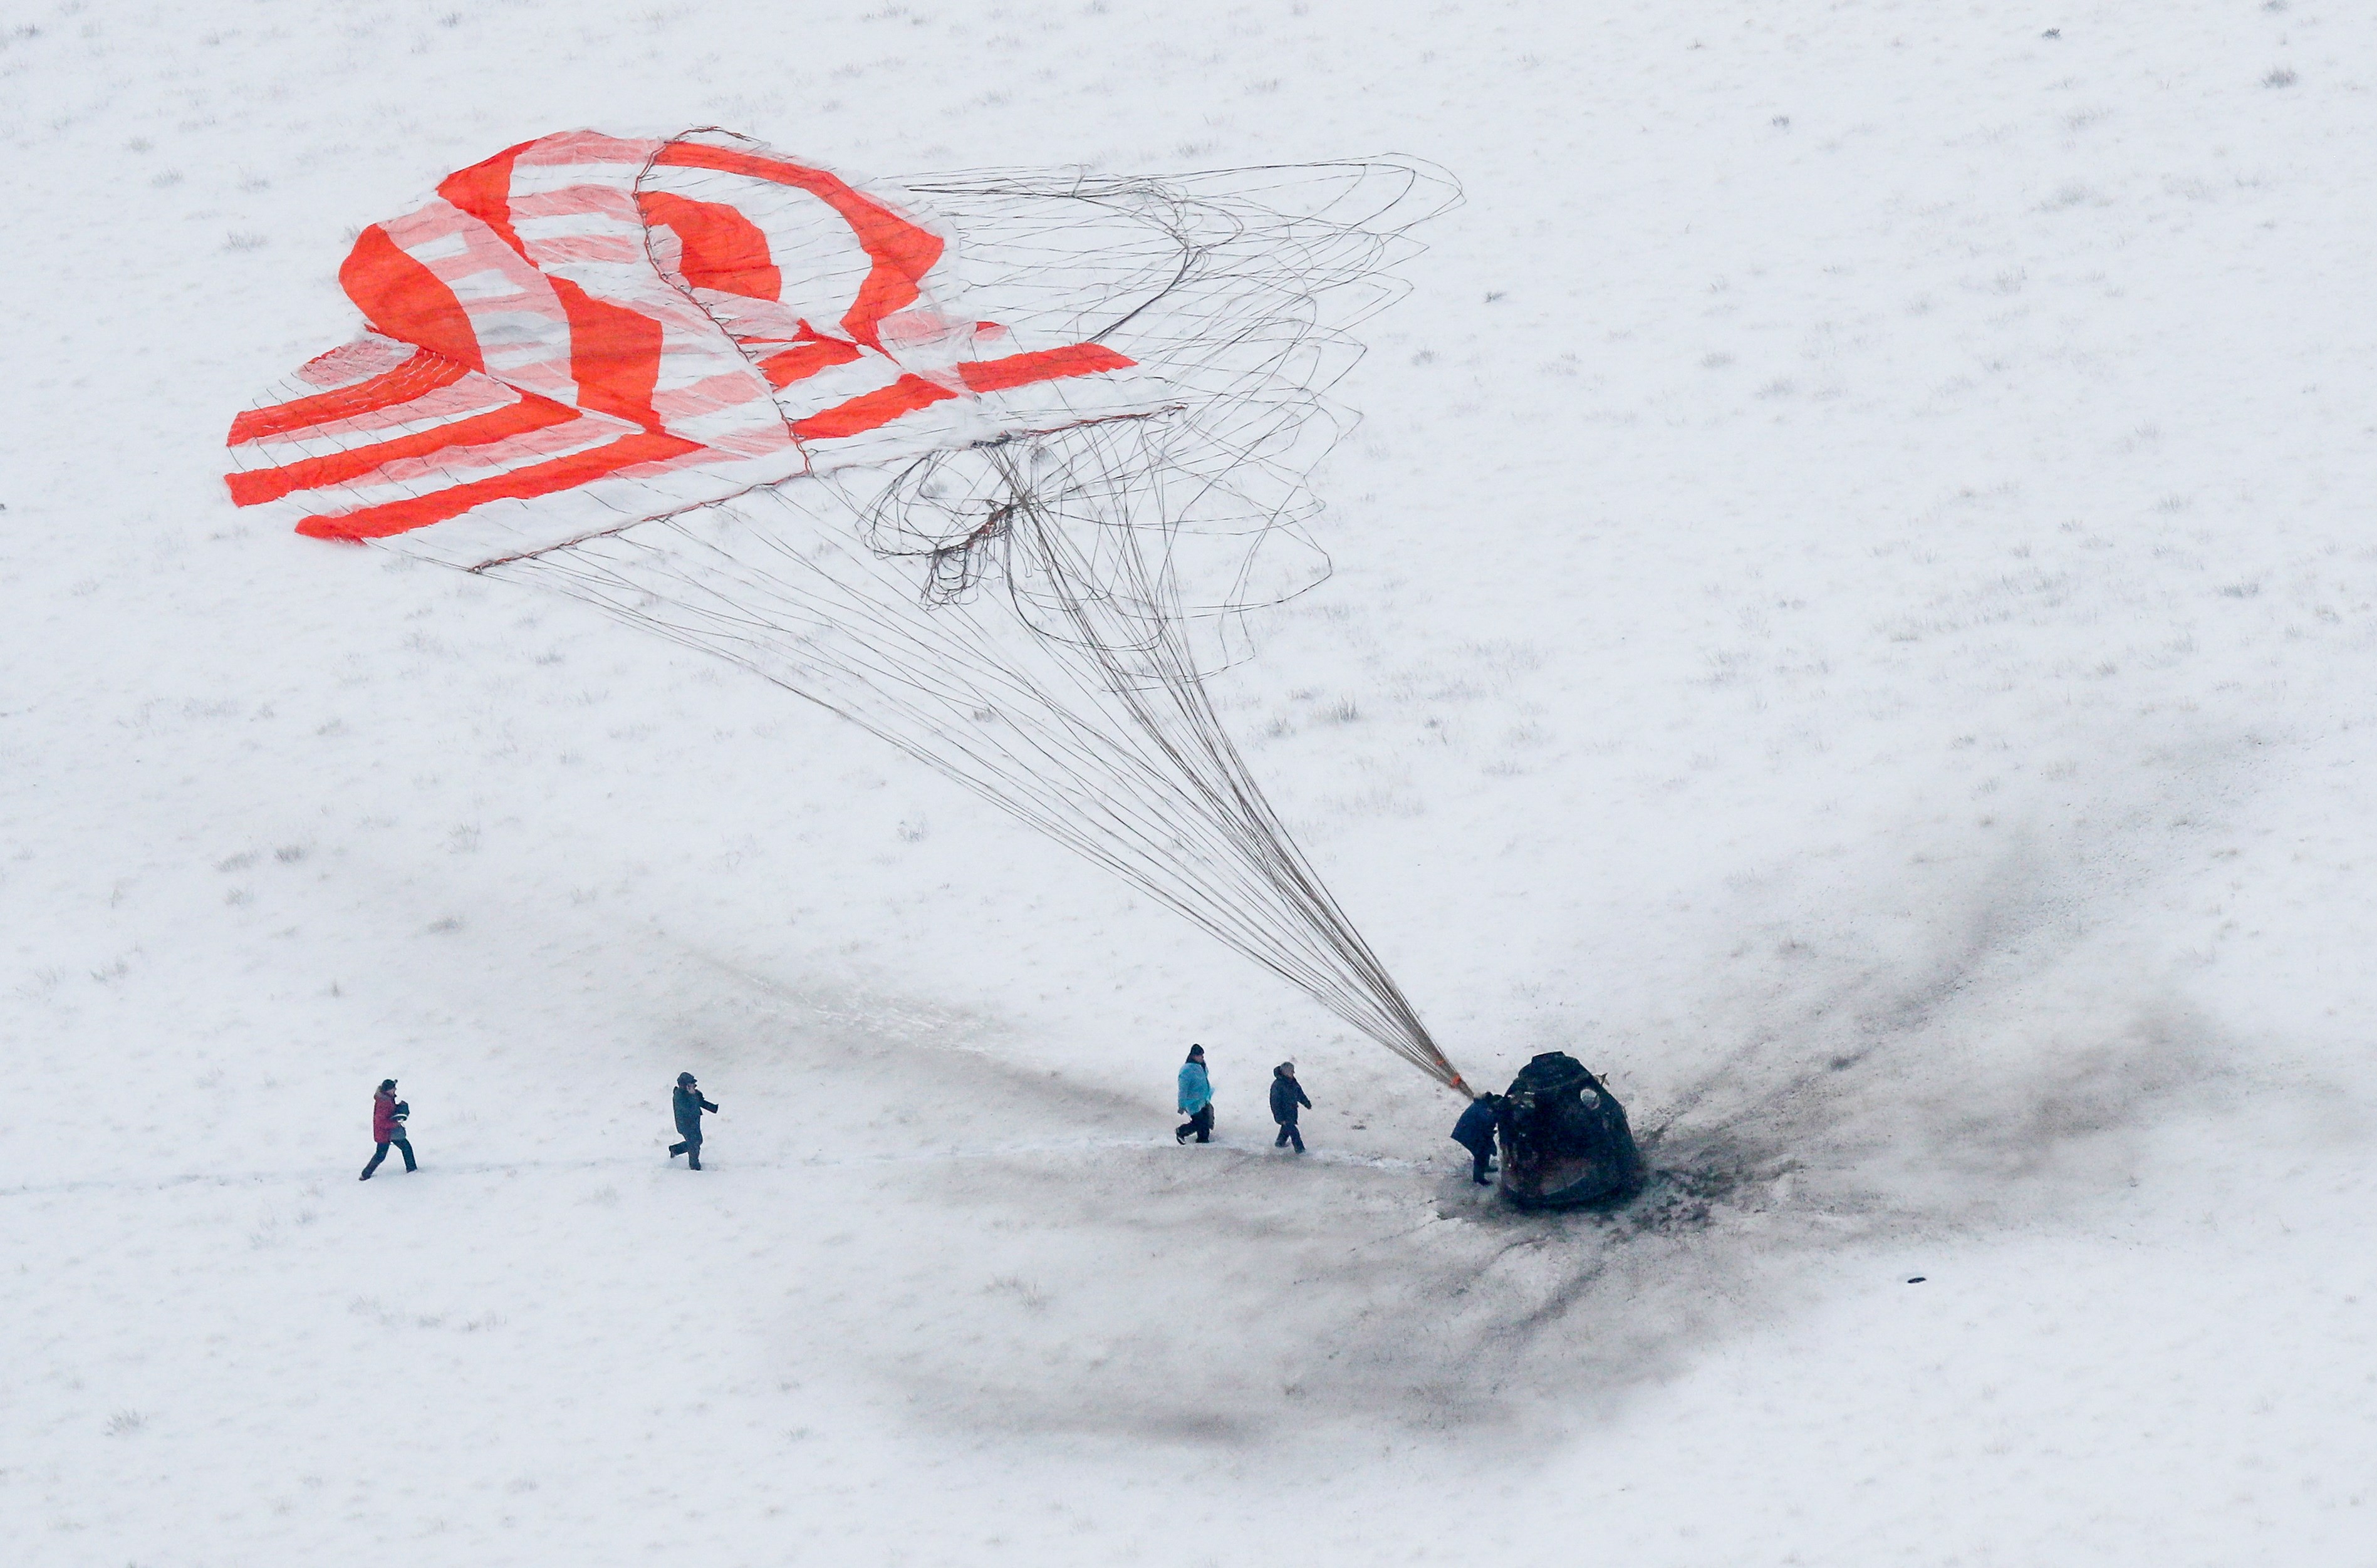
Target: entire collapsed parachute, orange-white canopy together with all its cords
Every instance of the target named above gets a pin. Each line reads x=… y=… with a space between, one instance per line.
x=992 y=464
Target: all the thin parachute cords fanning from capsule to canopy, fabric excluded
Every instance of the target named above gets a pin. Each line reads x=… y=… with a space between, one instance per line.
x=1035 y=617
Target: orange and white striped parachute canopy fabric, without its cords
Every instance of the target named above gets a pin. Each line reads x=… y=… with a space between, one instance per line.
x=588 y=331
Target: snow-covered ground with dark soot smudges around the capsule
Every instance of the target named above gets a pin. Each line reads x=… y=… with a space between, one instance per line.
x=1853 y=614
